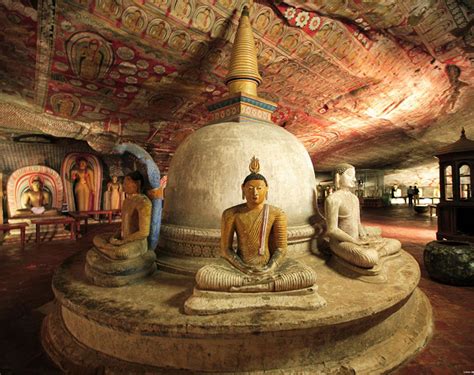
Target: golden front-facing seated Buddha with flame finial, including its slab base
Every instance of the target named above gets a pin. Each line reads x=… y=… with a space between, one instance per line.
x=259 y=263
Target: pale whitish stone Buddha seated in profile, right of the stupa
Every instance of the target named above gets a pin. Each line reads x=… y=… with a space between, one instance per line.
x=361 y=248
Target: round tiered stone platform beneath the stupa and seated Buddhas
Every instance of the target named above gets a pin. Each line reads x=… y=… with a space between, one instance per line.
x=365 y=328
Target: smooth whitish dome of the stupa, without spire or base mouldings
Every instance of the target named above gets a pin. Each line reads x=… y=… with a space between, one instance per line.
x=208 y=168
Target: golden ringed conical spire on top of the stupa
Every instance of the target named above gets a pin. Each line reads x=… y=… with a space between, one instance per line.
x=243 y=73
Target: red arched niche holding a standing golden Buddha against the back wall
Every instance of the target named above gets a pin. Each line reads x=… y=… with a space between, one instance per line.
x=82 y=176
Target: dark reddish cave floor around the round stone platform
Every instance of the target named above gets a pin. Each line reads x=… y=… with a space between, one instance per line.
x=25 y=277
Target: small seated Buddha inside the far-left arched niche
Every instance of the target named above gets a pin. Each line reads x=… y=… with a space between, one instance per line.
x=36 y=200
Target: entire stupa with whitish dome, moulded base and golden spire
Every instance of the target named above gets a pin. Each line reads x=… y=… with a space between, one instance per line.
x=208 y=168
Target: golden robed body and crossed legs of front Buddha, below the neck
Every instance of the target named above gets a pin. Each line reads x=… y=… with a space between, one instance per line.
x=260 y=241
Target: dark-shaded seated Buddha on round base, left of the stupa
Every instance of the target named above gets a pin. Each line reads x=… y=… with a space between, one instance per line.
x=124 y=257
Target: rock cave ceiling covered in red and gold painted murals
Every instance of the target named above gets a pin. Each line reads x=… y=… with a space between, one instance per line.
x=377 y=83
